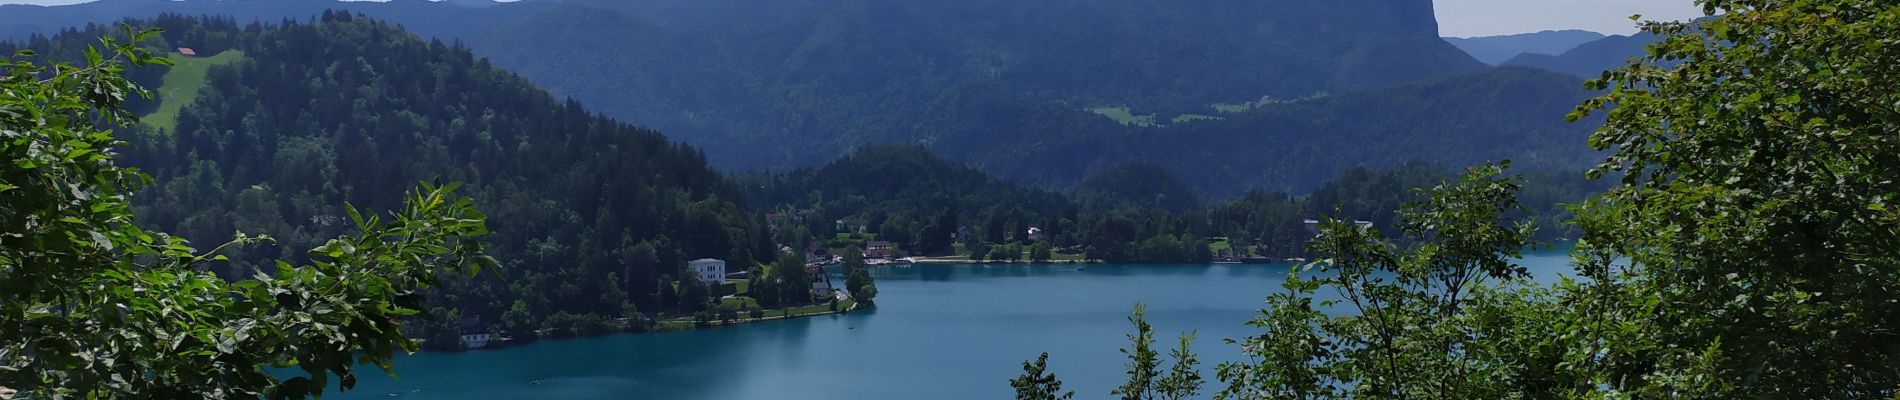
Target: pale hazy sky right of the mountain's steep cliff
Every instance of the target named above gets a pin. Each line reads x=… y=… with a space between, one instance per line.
x=1485 y=18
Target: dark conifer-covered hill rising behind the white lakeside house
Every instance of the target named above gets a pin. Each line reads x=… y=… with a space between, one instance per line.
x=592 y=217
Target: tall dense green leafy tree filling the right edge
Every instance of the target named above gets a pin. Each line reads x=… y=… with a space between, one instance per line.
x=1760 y=153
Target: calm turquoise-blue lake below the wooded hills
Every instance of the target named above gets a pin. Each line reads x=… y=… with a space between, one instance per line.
x=940 y=333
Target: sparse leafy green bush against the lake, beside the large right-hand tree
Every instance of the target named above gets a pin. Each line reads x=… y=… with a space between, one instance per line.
x=1415 y=316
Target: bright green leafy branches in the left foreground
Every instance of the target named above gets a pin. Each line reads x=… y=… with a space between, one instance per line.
x=92 y=306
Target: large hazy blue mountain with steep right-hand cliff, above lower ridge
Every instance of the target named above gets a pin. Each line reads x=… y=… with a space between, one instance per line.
x=820 y=79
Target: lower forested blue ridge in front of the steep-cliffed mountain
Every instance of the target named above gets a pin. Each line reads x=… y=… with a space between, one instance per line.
x=1289 y=147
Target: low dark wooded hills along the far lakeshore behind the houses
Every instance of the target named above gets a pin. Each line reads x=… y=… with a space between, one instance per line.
x=1139 y=213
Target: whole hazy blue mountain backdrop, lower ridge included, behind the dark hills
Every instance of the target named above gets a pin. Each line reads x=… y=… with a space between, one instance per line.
x=1247 y=94
